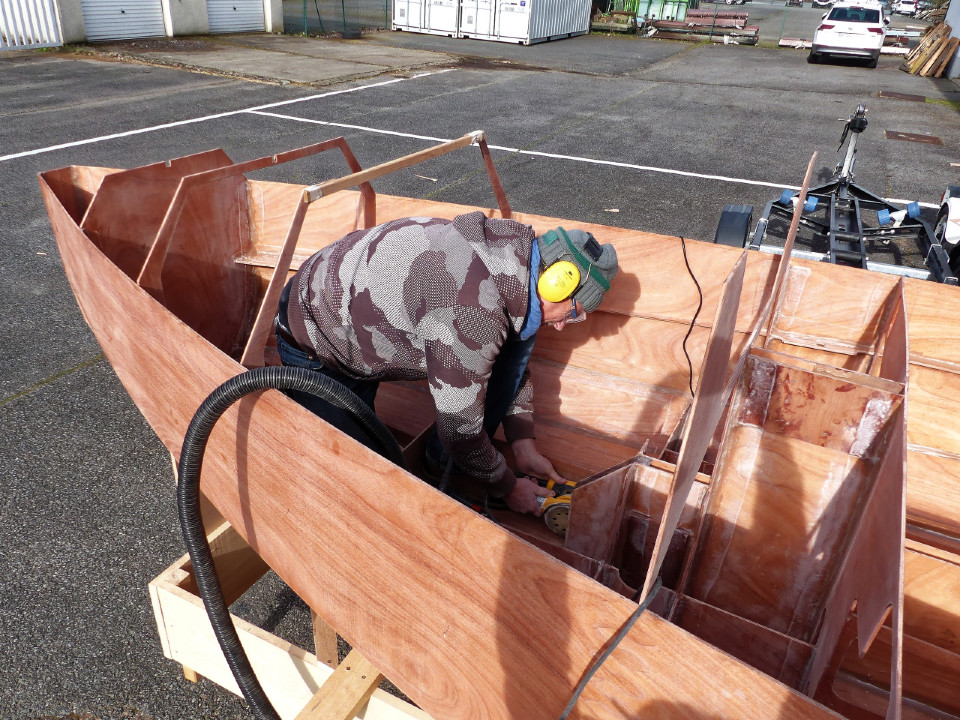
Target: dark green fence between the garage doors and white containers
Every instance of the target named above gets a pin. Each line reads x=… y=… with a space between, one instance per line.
x=347 y=17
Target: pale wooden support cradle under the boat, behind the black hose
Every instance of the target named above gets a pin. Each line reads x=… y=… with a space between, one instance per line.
x=300 y=686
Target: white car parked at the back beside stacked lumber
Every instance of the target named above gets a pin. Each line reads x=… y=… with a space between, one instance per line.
x=851 y=29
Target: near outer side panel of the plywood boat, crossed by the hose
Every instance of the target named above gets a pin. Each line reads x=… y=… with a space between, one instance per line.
x=407 y=573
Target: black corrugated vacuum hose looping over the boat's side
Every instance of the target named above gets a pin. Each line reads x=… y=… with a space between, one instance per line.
x=188 y=496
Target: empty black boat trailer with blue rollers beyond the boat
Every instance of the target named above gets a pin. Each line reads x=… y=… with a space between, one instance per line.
x=847 y=217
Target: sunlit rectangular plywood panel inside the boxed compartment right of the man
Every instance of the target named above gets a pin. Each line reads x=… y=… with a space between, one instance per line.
x=771 y=544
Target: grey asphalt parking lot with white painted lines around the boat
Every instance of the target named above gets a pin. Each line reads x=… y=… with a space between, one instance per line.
x=629 y=132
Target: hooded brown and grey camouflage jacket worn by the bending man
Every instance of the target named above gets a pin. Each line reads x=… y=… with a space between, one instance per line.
x=426 y=298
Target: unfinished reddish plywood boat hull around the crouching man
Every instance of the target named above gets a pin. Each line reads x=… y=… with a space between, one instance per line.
x=474 y=620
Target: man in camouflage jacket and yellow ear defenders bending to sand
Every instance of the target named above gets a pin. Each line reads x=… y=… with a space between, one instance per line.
x=457 y=303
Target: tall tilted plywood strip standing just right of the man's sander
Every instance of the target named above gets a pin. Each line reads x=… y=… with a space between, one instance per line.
x=708 y=406
